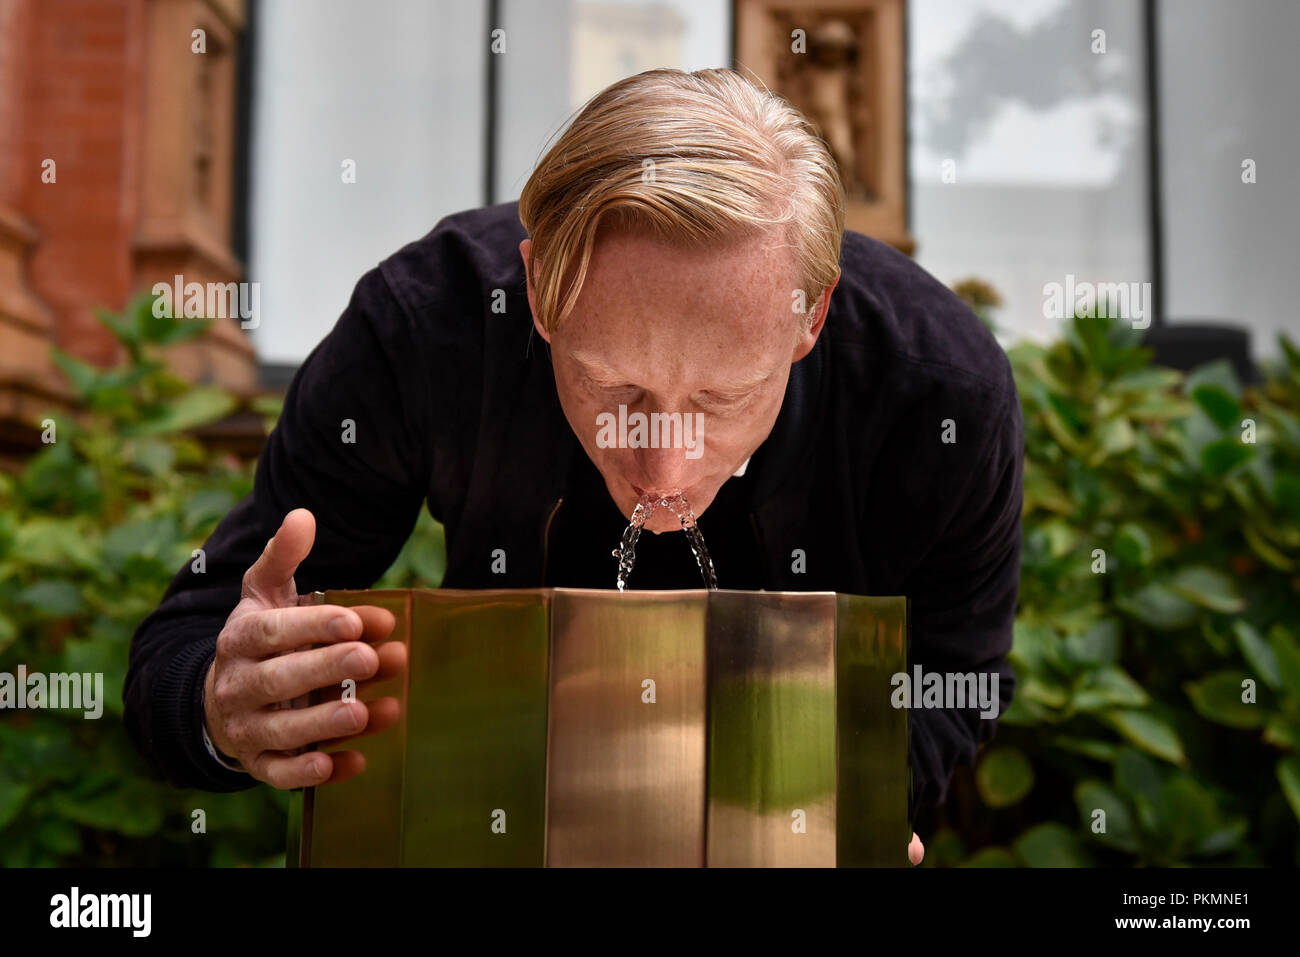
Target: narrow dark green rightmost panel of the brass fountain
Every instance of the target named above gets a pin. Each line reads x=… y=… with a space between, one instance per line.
x=874 y=778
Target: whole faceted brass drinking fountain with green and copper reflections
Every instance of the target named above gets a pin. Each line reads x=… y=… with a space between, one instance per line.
x=584 y=728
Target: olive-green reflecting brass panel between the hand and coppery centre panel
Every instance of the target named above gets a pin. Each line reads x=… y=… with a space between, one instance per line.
x=476 y=760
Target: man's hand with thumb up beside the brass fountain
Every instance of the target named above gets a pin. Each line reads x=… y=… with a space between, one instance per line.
x=265 y=659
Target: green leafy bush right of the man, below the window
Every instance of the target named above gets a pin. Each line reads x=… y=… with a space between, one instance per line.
x=1156 y=636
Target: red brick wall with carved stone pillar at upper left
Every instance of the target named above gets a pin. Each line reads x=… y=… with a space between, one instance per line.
x=118 y=132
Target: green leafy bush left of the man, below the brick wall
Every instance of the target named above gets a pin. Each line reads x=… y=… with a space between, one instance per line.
x=92 y=532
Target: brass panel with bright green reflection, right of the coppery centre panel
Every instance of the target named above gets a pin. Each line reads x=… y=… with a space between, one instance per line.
x=772 y=730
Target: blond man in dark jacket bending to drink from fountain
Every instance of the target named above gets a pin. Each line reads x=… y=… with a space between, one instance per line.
x=675 y=253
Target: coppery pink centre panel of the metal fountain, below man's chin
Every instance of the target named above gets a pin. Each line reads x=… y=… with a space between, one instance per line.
x=627 y=776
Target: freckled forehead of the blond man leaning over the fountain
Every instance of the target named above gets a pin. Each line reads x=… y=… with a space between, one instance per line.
x=727 y=304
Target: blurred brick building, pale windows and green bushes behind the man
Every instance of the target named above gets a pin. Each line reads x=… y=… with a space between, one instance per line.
x=1142 y=146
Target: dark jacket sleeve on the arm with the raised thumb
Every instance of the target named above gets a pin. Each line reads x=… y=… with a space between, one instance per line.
x=350 y=447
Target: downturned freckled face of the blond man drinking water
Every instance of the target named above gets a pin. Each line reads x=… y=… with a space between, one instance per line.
x=709 y=335
